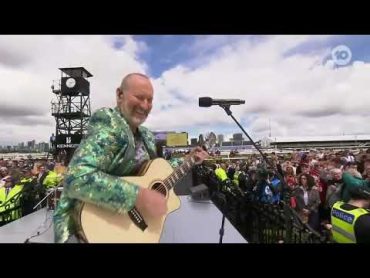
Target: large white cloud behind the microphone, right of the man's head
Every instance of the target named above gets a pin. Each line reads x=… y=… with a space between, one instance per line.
x=299 y=94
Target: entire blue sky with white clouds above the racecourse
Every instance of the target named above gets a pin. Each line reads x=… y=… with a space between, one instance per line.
x=301 y=85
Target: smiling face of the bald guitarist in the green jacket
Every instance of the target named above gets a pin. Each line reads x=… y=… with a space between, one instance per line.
x=136 y=102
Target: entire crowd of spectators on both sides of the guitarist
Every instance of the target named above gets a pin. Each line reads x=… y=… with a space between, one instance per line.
x=311 y=182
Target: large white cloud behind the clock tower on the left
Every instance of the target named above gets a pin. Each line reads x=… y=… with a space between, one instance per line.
x=29 y=64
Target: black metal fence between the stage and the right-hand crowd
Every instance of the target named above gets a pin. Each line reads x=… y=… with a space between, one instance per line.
x=258 y=222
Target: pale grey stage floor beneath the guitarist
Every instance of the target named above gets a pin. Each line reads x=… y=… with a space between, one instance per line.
x=194 y=222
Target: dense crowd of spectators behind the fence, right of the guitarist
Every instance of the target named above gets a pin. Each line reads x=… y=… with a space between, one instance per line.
x=311 y=182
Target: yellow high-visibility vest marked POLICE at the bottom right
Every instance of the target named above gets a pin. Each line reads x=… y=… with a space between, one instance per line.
x=344 y=221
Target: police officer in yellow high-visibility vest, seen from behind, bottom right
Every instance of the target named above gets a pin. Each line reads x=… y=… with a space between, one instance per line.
x=351 y=221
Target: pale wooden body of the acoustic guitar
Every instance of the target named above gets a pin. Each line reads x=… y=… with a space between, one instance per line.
x=99 y=225
